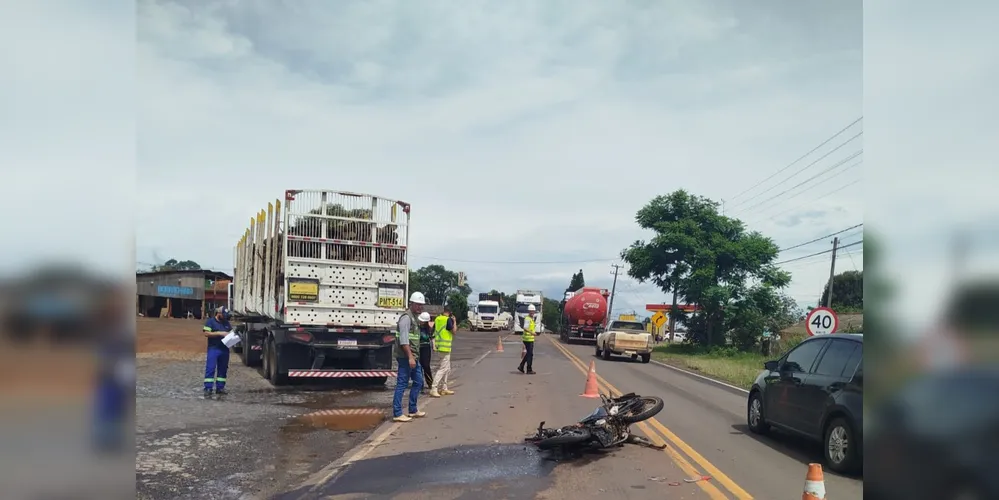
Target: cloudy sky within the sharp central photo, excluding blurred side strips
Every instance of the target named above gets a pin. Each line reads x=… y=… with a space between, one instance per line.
x=519 y=132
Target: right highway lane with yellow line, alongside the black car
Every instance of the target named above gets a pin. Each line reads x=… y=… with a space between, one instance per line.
x=710 y=420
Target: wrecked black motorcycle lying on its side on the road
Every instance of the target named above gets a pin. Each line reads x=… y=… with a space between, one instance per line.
x=608 y=425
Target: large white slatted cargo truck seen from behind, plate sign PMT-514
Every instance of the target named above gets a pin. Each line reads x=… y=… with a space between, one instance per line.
x=320 y=283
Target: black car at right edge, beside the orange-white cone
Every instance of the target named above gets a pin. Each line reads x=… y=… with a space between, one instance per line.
x=816 y=390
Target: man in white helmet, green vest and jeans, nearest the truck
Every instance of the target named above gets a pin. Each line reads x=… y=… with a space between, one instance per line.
x=407 y=351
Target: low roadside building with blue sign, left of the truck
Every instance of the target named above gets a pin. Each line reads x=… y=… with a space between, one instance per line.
x=180 y=294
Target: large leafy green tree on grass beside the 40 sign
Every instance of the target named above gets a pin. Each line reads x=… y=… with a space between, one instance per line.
x=709 y=260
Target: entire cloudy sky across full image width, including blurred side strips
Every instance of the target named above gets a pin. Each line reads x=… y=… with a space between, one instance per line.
x=525 y=134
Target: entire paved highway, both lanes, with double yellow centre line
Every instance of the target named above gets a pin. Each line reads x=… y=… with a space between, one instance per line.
x=470 y=445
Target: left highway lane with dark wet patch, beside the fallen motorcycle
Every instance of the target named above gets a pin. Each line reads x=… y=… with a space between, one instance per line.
x=470 y=445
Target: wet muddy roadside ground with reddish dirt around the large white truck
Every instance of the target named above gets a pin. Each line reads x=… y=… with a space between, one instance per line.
x=256 y=441
